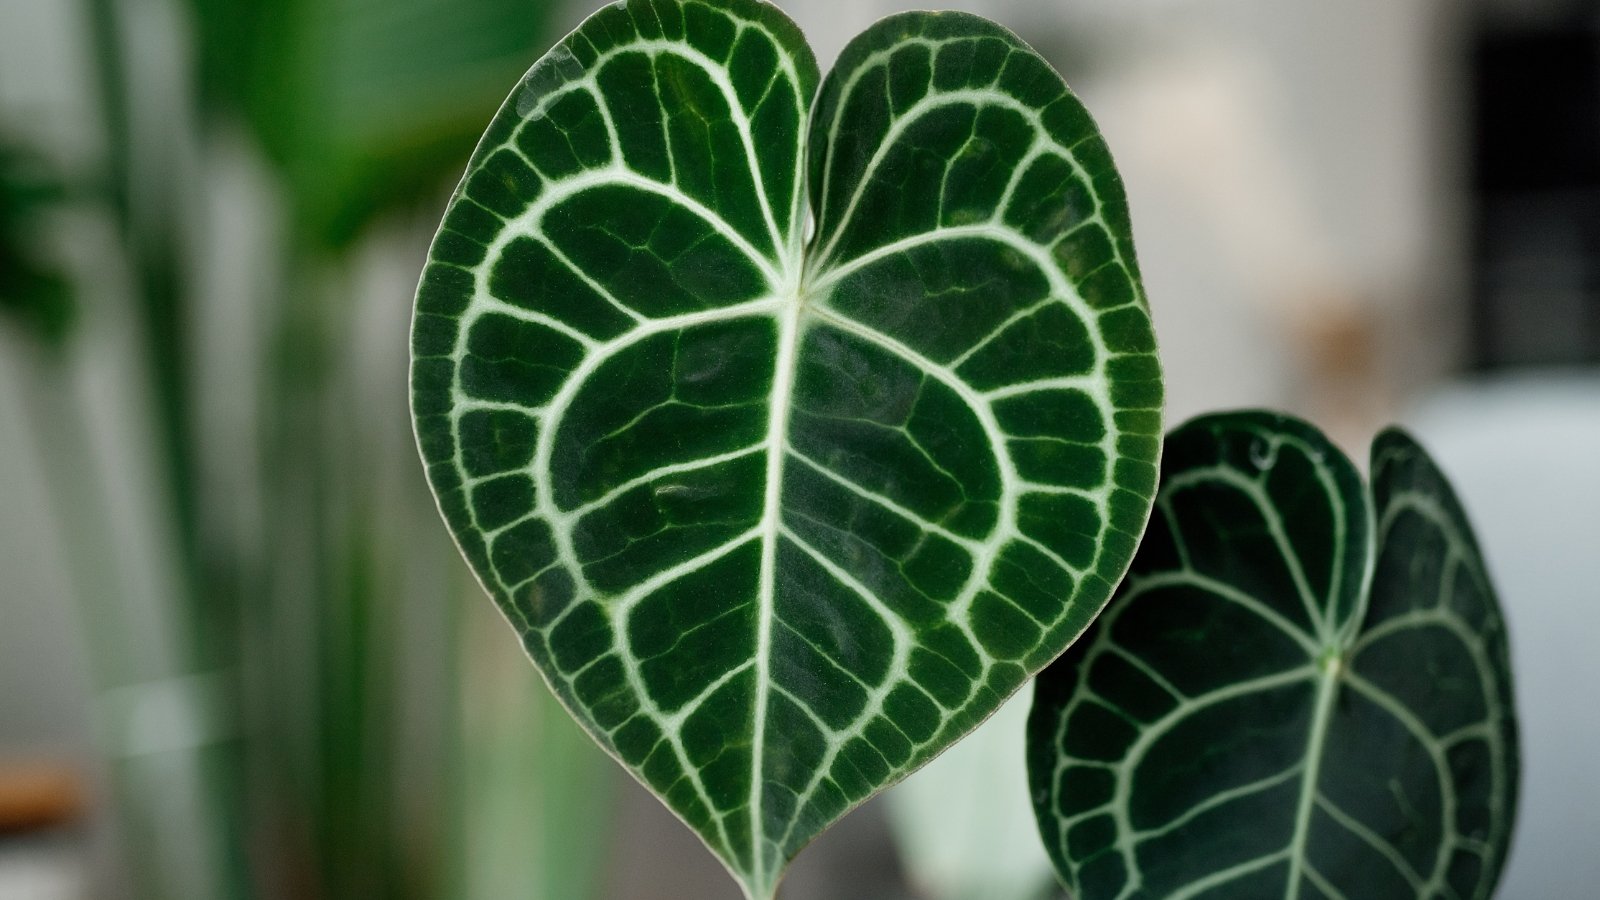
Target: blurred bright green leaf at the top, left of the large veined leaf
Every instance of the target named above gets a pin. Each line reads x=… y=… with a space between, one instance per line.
x=366 y=105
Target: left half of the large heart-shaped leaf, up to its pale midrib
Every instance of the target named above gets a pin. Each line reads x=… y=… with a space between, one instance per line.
x=593 y=377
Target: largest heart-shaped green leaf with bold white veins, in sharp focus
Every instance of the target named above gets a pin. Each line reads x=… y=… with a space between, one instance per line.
x=783 y=515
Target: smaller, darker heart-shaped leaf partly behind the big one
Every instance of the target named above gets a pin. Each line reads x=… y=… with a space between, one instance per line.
x=1298 y=693
